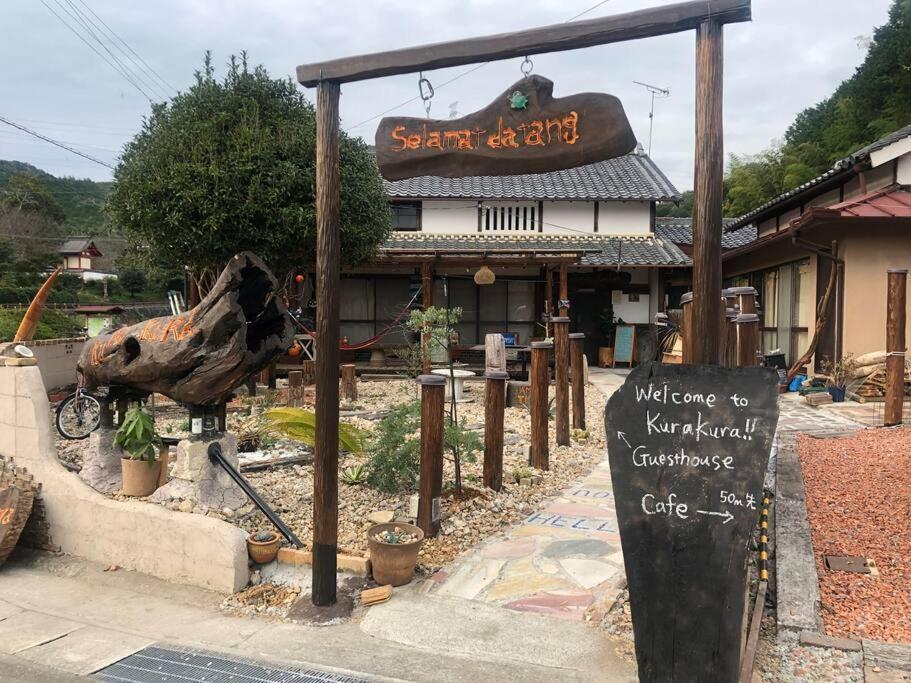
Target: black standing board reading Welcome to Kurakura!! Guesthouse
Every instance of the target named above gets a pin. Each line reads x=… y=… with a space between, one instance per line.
x=688 y=447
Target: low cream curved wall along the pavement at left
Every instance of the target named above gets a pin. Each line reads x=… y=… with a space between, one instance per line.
x=180 y=547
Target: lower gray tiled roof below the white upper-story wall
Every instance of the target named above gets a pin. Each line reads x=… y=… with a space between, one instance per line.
x=600 y=250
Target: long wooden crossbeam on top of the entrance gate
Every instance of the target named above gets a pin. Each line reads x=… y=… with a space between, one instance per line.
x=655 y=21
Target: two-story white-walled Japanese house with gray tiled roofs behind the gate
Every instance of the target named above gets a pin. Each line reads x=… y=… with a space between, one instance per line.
x=596 y=223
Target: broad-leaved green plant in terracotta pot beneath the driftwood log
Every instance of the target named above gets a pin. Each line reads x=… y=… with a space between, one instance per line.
x=138 y=439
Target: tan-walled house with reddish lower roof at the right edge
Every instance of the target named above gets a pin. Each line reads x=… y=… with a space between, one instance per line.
x=862 y=205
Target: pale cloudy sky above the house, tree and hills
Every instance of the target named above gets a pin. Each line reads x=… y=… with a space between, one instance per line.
x=793 y=54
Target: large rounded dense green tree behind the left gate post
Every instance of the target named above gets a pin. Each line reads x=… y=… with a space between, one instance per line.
x=230 y=165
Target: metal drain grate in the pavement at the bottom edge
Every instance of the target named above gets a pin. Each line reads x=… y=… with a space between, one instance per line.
x=165 y=665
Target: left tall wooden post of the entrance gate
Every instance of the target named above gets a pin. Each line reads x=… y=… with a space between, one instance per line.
x=325 y=462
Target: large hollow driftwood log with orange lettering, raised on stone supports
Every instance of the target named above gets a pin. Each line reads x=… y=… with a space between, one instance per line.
x=201 y=356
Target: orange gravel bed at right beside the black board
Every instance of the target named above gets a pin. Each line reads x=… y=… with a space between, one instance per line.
x=859 y=503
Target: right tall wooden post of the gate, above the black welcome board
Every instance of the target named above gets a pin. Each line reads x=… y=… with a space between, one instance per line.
x=709 y=171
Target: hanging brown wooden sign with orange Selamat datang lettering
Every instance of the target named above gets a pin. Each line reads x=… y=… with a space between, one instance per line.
x=525 y=130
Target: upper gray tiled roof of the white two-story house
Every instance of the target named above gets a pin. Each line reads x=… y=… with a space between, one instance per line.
x=630 y=177
